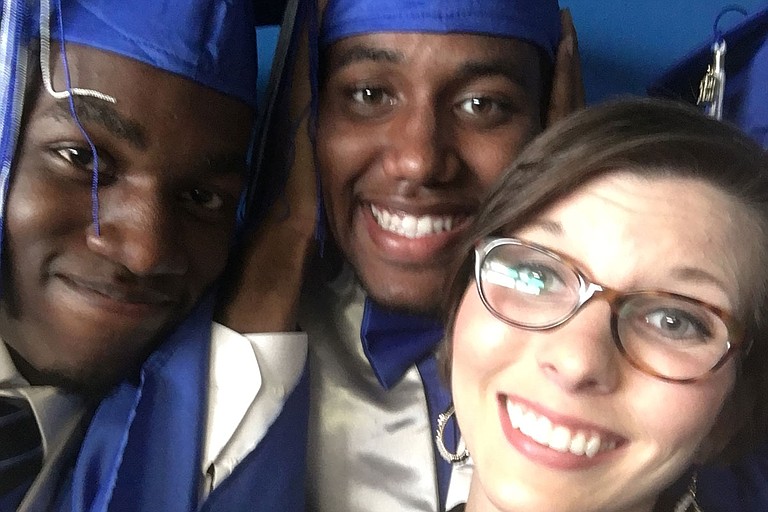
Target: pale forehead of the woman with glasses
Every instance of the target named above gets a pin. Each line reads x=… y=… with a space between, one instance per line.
x=631 y=231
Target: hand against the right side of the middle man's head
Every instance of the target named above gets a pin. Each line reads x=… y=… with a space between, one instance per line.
x=567 y=93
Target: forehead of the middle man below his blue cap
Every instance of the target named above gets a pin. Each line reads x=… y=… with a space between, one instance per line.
x=433 y=52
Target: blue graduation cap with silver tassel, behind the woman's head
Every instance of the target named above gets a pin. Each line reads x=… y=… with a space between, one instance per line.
x=745 y=95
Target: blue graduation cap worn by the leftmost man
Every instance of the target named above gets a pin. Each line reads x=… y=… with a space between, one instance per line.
x=210 y=42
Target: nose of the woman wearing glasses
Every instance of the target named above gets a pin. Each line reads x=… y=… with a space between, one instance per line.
x=580 y=356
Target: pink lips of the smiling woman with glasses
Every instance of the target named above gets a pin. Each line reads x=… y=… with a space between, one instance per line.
x=546 y=456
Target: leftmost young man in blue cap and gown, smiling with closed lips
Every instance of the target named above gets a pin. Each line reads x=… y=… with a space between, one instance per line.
x=124 y=142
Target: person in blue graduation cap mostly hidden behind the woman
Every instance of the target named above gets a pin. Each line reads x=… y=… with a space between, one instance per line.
x=738 y=93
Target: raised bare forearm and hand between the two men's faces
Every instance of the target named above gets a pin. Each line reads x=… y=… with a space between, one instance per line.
x=262 y=292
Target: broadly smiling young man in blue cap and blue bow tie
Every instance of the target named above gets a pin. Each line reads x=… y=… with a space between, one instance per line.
x=421 y=106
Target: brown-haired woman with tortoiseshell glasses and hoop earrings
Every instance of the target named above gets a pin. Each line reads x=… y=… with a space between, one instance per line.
x=608 y=327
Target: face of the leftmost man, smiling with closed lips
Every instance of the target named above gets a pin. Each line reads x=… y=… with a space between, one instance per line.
x=84 y=310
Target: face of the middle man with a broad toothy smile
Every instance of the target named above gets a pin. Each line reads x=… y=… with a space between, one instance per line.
x=418 y=126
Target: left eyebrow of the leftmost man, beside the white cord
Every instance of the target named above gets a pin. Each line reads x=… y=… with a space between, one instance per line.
x=97 y=111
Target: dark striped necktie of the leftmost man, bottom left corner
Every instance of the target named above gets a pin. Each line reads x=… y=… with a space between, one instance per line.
x=21 y=453
